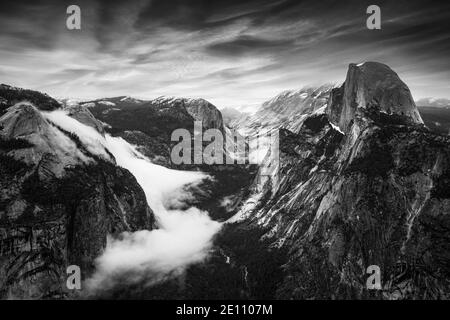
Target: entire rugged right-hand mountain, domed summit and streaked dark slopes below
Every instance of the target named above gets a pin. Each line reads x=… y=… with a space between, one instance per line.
x=373 y=193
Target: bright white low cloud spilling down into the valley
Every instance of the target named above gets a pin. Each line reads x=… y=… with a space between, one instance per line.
x=183 y=237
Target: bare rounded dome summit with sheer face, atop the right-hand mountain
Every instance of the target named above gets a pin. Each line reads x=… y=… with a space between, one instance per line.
x=374 y=86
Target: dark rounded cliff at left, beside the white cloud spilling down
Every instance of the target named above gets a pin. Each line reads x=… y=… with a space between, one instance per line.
x=58 y=202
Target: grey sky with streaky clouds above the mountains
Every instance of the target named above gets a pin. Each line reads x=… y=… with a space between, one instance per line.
x=234 y=53
